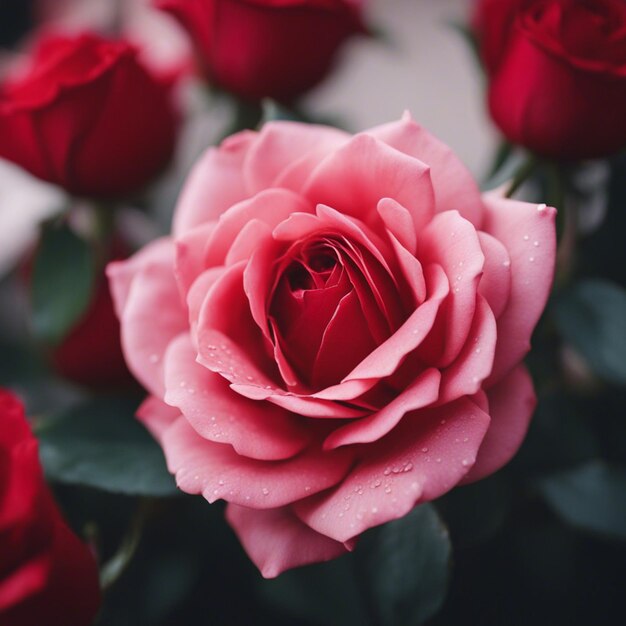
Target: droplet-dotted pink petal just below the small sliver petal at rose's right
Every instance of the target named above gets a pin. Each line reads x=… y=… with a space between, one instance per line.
x=475 y=361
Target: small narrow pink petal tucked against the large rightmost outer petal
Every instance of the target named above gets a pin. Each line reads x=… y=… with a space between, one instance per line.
x=495 y=283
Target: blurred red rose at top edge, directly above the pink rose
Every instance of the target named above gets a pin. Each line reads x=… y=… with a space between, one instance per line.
x=267 y=48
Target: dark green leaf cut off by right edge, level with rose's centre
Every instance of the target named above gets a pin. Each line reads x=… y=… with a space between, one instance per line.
x=591 y=316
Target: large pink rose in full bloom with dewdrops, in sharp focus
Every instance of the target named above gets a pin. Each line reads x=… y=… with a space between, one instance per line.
x=334 y=331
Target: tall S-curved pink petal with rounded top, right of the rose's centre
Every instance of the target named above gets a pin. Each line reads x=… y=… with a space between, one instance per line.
x=452 y=242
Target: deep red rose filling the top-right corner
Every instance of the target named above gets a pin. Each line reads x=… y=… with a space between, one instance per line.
x=557 y=73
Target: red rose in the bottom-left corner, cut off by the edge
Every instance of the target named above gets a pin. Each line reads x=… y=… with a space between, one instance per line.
x=47 y=576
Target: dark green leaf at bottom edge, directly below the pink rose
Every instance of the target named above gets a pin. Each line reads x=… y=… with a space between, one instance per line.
x=409 y=567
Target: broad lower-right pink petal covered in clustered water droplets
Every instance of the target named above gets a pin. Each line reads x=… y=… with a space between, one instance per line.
x=422 y=458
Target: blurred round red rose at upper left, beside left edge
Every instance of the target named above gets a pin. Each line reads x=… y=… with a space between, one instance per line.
x=87 y=116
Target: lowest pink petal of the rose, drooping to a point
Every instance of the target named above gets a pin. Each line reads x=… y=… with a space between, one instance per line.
x=276 y=540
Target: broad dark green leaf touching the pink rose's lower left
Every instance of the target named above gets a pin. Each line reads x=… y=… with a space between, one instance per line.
x=100 y=444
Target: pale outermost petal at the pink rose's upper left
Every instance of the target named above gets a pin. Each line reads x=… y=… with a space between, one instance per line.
x=215 y=183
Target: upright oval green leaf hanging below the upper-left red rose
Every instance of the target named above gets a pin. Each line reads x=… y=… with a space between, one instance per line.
x=62 y=282
